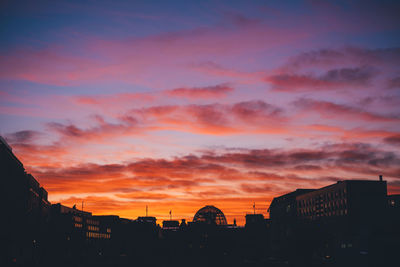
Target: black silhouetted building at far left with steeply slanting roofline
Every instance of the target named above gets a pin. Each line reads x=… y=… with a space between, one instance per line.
x=26 y=209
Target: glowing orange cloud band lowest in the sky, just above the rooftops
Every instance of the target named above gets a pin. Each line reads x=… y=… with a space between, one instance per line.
x=229 y=179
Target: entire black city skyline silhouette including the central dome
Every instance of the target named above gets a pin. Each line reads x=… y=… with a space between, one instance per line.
x=348 y=223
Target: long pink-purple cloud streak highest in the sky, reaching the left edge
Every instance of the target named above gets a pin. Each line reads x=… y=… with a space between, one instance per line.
x=139 y=60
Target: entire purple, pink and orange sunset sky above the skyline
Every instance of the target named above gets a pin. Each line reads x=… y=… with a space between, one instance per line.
x=181 y=104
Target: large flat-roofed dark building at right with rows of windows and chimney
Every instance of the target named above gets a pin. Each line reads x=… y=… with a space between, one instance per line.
x=337 y=221
